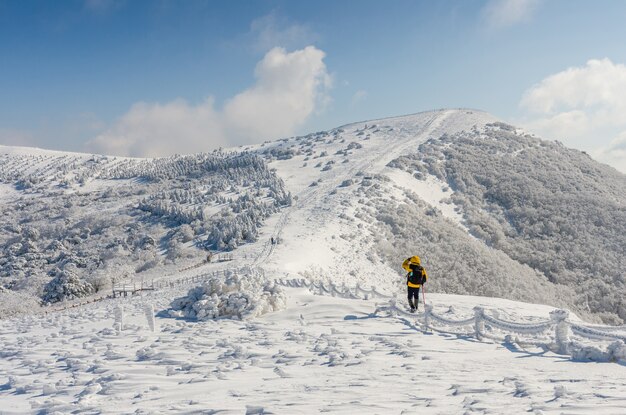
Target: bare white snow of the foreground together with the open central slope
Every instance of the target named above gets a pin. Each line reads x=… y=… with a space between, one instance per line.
x=299 y=352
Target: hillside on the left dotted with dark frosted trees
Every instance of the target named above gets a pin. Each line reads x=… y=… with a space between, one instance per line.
x=73 y=223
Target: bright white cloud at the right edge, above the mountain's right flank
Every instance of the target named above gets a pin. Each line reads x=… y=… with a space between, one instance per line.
x=582 y=106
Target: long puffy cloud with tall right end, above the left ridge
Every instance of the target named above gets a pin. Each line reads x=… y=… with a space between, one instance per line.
x=289 y=88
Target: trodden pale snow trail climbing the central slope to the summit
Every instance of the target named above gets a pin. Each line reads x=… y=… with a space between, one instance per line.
x=315 y=204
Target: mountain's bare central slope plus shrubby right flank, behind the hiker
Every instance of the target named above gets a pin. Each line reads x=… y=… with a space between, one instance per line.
x=370 y=193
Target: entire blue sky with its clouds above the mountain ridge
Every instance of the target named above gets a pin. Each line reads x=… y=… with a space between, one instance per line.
x=152 y=78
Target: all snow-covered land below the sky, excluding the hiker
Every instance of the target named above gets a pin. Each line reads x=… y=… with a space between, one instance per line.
x=301 y=306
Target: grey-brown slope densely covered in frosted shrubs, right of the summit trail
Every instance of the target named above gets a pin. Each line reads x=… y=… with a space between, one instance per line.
x=544 y=205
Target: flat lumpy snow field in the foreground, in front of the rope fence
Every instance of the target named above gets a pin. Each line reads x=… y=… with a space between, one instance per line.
x=321 y=354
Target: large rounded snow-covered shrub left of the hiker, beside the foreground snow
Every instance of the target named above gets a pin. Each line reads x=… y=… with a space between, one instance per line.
x=235 y=296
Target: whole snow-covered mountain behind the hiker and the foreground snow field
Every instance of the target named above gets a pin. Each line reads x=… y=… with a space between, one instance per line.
x=492 y=211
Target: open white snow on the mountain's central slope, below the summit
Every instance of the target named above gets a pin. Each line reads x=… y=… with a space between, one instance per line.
x=315 y=238
